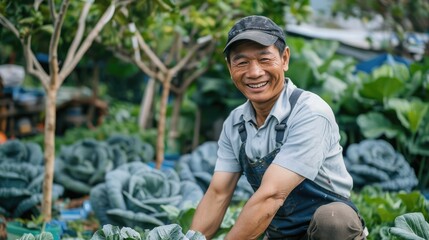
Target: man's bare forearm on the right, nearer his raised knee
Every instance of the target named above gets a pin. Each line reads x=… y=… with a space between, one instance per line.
x=259 y=211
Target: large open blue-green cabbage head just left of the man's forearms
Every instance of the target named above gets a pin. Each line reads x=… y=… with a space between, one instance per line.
x=134 y=193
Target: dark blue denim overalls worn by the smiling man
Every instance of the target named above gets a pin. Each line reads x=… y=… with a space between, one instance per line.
x=293 y=218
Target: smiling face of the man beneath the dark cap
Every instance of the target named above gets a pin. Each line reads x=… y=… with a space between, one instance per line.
x=258 y=71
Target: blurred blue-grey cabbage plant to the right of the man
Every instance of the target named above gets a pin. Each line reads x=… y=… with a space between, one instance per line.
x=375 y=162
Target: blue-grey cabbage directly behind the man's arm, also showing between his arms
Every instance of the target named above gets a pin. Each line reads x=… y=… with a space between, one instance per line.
x=199 y=165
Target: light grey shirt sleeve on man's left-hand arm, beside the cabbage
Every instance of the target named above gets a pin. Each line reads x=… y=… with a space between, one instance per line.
x=226 y=158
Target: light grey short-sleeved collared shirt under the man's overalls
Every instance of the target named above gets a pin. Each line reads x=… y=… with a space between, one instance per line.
x=310 y=147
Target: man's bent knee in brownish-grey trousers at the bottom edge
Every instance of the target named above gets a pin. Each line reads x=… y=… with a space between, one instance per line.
x=335 y=221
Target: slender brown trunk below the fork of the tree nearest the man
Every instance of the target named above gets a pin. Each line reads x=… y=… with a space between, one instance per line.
x=160 y=145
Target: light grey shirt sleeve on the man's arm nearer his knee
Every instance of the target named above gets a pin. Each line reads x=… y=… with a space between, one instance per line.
x=306 y=145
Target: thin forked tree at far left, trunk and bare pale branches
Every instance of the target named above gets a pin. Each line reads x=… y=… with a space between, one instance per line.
x=52 y=80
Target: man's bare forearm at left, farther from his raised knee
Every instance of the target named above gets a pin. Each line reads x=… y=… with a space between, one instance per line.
x=212 y=208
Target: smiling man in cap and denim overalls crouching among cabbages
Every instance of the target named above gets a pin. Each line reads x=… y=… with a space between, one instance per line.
x=286 y=142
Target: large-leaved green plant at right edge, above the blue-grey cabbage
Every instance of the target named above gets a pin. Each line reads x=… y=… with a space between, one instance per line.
x=401 y=115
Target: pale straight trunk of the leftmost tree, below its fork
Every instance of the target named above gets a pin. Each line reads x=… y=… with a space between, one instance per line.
x=49 y=155
